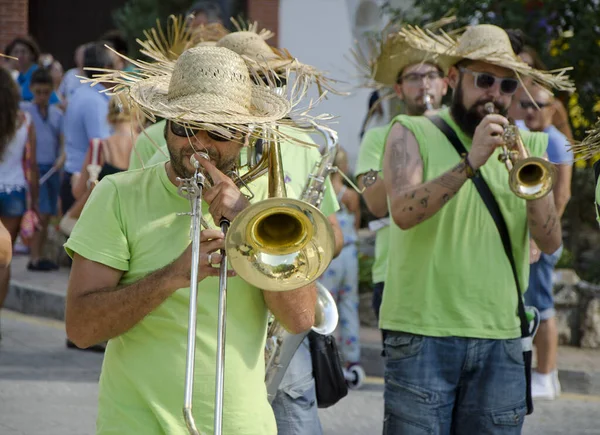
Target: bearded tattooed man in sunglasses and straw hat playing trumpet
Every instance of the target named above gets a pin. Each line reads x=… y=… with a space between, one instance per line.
x=454 y=355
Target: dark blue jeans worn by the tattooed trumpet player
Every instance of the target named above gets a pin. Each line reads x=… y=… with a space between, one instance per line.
x=452 y=385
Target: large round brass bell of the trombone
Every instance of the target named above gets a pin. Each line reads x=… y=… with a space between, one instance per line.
x=280 y=244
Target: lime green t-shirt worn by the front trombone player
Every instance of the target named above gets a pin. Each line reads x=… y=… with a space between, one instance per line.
x=131 y=223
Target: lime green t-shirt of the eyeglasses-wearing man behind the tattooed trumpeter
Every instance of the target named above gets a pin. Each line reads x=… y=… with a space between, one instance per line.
x=370 y=156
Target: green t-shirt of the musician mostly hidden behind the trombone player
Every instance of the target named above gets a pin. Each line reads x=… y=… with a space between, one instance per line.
x=297 y=160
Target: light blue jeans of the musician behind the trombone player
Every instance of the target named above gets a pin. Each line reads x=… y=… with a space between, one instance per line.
x=295 y=404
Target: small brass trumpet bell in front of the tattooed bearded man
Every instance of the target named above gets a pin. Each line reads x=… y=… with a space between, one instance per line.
x=532 y=178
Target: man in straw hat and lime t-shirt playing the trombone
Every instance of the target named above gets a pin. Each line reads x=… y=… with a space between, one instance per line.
x=130 y=278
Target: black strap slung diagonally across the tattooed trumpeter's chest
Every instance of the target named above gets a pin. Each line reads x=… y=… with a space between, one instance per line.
x=492 y=205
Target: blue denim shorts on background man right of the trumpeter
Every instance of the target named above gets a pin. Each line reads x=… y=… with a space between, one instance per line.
x=540 y=291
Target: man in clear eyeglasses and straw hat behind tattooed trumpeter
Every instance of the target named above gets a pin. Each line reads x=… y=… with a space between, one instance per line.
x=421 y=86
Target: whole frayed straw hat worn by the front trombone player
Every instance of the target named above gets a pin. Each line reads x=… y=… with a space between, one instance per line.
x=207 y=87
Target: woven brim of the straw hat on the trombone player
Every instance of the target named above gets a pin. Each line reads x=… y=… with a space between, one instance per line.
x=151 y=95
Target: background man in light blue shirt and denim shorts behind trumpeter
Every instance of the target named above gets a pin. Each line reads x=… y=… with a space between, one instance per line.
x=538 y=115
